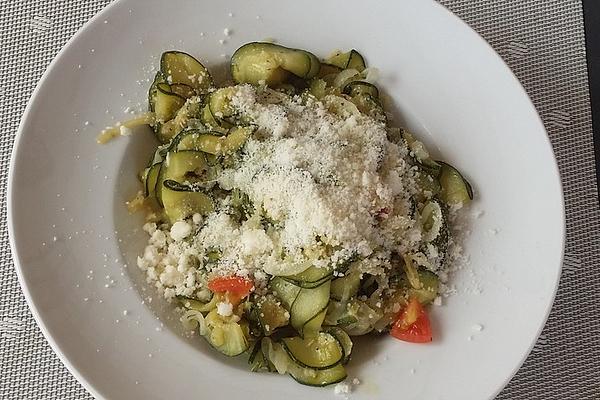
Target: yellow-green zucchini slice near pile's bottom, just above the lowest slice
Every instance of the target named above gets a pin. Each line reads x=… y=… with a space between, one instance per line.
x=322 y=351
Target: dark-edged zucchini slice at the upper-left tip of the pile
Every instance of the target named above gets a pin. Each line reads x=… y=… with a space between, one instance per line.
x=180 y=68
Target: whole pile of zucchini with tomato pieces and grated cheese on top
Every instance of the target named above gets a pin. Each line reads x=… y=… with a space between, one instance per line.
x=287 y=214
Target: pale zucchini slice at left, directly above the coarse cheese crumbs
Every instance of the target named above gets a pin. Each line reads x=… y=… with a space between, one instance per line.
x=181 y=202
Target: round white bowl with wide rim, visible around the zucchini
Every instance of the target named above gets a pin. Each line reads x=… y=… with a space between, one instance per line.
x=66 y=199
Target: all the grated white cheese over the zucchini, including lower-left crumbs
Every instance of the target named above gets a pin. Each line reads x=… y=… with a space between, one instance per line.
x=324 y=189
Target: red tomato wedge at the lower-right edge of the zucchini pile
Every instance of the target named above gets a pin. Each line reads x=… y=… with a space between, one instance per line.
x=412 y=324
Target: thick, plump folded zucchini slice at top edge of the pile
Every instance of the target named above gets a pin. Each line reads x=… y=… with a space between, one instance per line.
x=271 y=63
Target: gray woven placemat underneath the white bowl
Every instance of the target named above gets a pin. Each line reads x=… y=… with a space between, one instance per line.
x=542 y=41
